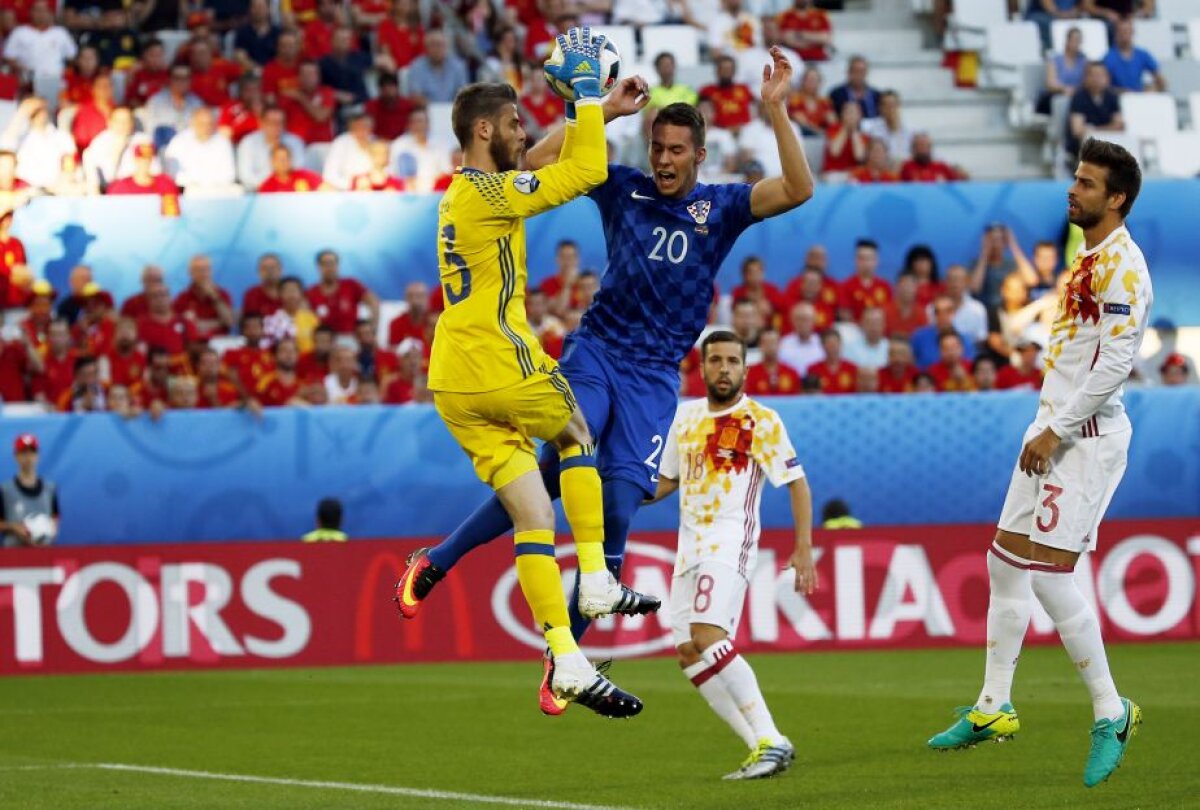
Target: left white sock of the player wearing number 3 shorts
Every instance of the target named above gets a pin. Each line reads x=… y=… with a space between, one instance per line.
x=1009 y=619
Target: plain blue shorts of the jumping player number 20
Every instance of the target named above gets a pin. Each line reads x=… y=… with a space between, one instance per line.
x=629 y=409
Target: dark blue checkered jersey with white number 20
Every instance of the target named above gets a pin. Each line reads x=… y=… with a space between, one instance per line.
x=663 y=260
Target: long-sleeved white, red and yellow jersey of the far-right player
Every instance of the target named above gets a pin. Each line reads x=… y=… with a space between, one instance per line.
x=1095 y=340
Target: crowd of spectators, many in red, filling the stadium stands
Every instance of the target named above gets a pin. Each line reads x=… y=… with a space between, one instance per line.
x=331 y=95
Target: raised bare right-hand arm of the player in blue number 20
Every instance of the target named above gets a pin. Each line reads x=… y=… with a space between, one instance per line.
x=779 y=195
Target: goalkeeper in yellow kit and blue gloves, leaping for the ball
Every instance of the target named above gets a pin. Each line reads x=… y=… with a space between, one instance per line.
x=494 y=386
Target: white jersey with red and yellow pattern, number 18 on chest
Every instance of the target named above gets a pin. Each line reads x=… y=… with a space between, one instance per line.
x=721 y=460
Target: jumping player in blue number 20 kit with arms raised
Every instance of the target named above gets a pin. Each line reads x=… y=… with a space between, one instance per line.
x=668 y=236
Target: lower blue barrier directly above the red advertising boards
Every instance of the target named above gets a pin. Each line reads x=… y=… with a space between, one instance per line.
x=917 y=459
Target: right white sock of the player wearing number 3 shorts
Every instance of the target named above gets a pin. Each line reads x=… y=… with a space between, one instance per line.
x=1081 y=633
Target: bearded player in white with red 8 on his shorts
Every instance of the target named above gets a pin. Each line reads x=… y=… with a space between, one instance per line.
x=718 y=453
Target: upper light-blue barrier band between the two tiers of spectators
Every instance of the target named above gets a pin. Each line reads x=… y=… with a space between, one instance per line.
x=388 y=239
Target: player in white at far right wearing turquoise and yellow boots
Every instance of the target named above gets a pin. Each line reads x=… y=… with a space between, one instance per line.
x=1072 y=463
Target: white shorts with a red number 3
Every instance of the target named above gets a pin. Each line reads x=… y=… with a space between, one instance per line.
x=1064 y=508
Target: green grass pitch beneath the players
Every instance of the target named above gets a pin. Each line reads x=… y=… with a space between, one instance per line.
x=860 y=722
